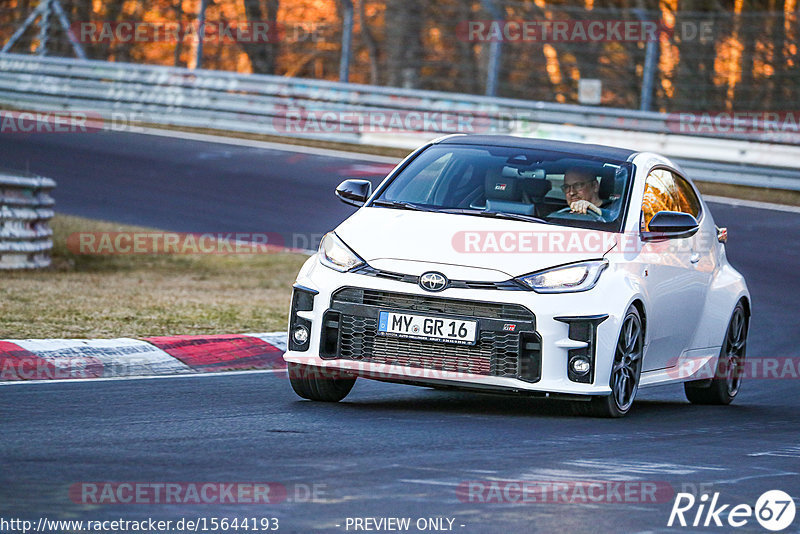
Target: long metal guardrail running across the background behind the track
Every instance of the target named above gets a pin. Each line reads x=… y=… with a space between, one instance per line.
x=342 y=112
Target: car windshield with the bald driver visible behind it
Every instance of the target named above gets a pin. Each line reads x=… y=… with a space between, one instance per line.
x=501 y=182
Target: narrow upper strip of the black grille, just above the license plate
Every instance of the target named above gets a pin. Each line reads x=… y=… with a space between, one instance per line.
x=384 y=299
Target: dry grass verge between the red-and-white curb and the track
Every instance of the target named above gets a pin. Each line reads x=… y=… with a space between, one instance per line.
x=83 y=296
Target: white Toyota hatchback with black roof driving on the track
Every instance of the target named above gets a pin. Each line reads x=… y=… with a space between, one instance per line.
x=523 y=266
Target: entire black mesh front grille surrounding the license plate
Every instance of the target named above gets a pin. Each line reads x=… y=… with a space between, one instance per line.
x=496 y=353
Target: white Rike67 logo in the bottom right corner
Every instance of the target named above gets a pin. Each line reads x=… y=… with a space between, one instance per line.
x=774 y=510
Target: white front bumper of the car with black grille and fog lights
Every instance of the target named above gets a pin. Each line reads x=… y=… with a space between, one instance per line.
x=526 y=340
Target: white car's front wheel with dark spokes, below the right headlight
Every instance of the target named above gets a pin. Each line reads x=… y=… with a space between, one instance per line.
x=625 y=372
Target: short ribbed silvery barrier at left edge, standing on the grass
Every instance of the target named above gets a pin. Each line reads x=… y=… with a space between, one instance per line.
x=25 y=212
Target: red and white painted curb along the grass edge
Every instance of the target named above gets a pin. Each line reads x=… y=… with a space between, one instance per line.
x=59 y=359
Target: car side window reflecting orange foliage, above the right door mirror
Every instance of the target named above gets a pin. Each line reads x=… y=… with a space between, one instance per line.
x=666 y=191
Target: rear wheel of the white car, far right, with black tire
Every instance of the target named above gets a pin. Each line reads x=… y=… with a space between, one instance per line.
x=727 y=381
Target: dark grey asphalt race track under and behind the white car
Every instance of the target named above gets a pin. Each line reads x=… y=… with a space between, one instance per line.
x=388 y=450
